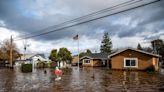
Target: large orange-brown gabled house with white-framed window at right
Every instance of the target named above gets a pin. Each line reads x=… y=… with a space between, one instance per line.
x=133 y=59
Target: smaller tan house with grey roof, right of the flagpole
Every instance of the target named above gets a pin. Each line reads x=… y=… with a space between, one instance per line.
x=94 y=59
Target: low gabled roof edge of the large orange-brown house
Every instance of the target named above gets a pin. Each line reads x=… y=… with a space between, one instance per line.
x=141 y=51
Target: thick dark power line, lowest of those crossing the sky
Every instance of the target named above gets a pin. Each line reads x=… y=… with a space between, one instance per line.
x=90 y=20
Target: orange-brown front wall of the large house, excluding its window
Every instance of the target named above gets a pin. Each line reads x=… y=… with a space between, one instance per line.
x=144 y=60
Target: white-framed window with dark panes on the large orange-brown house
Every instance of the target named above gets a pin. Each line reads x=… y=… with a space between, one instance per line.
x=130 y=62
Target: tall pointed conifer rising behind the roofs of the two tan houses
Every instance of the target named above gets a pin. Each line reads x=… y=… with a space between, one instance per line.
x=106 y=44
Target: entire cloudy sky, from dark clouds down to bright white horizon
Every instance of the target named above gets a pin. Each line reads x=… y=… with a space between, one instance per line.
x=127 y=29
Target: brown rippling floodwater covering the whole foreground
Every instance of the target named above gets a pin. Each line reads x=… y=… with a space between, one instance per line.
x=82 y=80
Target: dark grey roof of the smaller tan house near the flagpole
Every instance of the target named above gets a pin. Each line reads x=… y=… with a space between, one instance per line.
x=96 y=56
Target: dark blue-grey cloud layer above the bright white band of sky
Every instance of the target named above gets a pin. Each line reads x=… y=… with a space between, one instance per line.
x=34 y=15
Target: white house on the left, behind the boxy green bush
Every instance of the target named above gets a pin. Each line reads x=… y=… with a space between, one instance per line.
x=34 y=59
